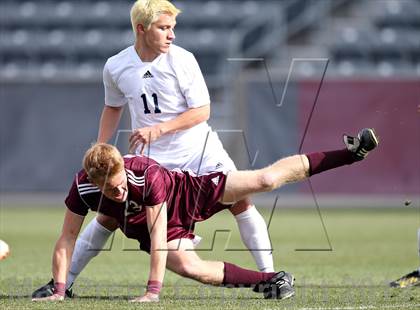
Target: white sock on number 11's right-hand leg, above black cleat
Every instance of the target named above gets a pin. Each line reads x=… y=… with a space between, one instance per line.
x=255 y=236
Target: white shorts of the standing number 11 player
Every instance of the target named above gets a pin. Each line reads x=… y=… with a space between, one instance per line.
x=214 y=158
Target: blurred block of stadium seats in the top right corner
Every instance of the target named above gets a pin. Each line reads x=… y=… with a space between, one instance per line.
x=390 y=38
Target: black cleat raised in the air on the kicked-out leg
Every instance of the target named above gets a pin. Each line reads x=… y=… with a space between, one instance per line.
x=366 y=141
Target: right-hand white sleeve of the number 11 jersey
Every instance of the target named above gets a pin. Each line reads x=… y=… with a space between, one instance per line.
x=192 y=83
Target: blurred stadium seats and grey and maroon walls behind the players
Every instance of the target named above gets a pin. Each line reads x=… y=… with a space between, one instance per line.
x=52 y=54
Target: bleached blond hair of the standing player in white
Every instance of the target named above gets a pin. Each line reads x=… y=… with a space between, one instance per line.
x=146 y=12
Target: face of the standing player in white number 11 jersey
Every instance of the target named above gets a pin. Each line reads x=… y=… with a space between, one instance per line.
x=159 y=37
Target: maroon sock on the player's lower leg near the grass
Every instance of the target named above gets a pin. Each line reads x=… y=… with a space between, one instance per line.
x=238 y=276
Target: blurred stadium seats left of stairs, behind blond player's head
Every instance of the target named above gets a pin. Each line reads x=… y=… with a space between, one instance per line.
x=36 y=34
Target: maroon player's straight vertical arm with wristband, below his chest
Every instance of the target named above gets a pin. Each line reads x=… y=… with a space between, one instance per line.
x=156 y=222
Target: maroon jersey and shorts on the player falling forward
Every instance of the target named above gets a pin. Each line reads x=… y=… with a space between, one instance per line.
x=189 y=198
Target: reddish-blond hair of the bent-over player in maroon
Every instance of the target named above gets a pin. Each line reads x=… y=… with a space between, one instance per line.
x=102 y=161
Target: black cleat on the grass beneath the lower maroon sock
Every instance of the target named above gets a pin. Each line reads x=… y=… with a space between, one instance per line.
x=280 y=286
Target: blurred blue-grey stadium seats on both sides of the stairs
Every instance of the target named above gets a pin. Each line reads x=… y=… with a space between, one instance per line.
x=84 y=33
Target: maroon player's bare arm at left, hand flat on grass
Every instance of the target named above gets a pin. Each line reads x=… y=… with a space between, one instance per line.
x=62 y=254
